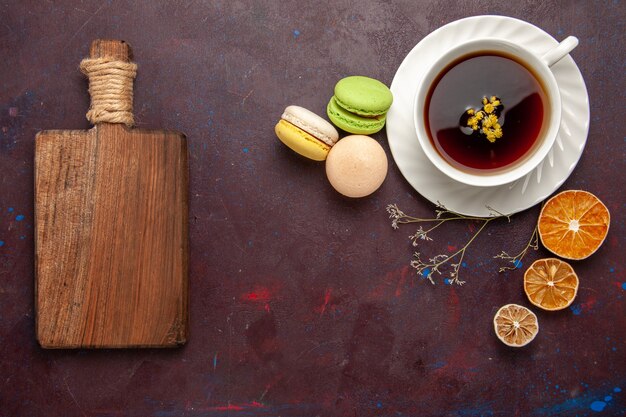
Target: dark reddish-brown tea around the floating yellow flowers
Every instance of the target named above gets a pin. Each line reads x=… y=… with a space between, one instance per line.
x=461 y=86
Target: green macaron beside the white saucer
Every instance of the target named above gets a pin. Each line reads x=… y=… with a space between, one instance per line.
x=360 y=105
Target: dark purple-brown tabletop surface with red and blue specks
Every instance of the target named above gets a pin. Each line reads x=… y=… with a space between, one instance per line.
x=302 y=301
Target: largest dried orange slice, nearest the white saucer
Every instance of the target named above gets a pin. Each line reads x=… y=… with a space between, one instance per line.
x=573 y=224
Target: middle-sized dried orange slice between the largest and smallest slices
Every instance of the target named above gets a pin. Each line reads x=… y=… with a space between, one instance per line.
x=551 y=284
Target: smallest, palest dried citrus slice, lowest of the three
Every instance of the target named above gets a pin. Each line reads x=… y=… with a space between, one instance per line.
x=515 y=325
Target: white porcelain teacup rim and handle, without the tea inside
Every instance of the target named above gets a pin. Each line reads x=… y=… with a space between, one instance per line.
x=539 y=65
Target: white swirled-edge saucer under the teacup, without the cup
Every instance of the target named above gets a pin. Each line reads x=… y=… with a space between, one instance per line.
x=508 y=198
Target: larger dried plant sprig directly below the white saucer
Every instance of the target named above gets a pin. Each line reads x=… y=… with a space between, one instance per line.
x=435 y=264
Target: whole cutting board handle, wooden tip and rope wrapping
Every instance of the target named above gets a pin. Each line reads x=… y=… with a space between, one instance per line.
x=111 y=74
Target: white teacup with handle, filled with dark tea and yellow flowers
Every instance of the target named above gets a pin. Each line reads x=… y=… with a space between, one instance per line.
x=488 y=111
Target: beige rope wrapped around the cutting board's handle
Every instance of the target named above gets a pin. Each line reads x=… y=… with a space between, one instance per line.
x=111 y=90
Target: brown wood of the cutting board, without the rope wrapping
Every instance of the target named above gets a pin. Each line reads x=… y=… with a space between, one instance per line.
x=111 y=234
